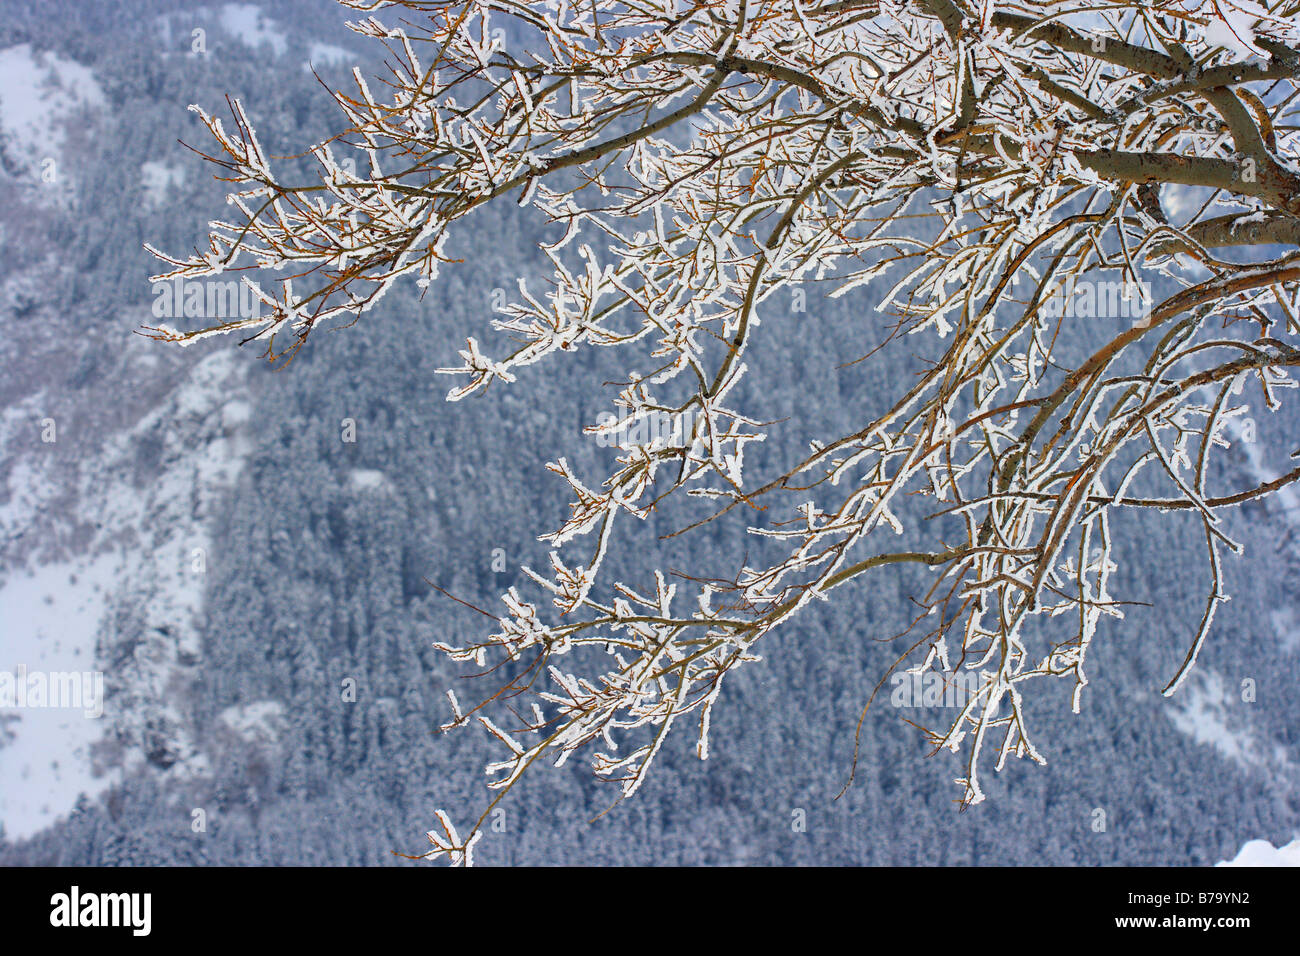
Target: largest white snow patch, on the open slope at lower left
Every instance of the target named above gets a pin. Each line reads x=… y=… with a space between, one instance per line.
x=151 y=553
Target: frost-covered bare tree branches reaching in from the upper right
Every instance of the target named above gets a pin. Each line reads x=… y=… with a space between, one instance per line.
x=980 y=161
